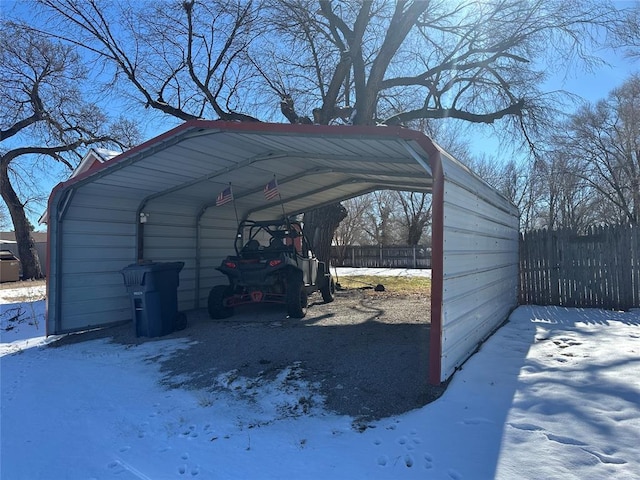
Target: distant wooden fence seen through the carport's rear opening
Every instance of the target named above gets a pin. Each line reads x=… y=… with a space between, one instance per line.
x=381 y=257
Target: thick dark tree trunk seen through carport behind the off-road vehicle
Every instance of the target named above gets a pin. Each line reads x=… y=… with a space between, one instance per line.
x=319 y=227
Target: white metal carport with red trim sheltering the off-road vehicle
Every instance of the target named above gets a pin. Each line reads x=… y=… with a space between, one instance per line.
x=157 y=202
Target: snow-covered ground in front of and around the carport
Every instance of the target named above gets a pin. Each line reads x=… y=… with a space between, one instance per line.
x=554 y=394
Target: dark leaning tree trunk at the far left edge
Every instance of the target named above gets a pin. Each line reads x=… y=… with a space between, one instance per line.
x=27 y=252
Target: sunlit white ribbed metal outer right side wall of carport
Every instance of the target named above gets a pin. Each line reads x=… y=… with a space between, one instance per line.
x=480 y=264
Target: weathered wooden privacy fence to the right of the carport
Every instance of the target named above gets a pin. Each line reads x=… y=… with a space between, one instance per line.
x=598 y=269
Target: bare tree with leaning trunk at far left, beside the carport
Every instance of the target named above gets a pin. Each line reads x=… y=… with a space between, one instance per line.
x=42 y=115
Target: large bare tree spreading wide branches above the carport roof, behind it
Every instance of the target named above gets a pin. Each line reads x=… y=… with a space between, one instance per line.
x=360 y=63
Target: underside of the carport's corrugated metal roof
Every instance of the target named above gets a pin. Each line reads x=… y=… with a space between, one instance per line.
x=193 y=163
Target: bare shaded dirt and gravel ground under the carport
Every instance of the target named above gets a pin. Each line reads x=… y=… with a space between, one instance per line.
x=365 y=354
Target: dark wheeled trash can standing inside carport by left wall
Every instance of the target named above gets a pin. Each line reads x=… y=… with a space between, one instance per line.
x=153 y=289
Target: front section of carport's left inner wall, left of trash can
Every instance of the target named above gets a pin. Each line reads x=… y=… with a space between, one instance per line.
x=89 y=290
